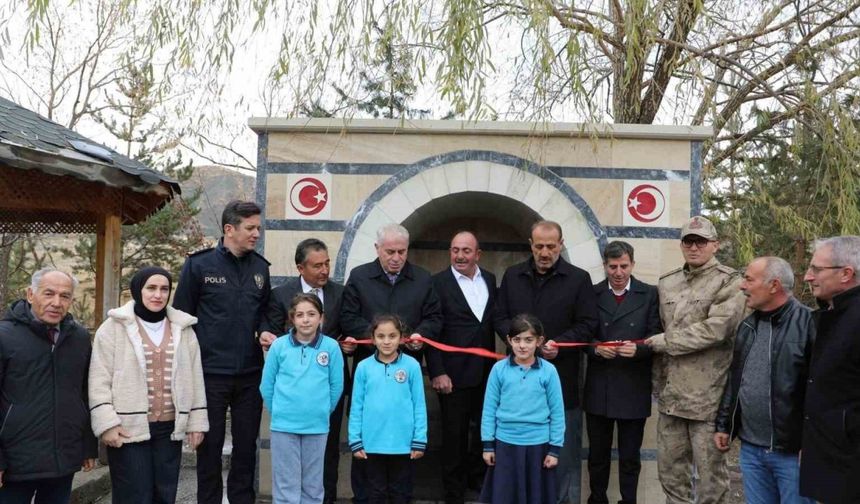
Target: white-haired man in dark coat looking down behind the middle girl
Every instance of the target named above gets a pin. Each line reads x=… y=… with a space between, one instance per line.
x=388 y=285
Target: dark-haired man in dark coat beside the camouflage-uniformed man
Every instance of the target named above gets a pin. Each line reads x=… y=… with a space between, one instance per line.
x=618 y=379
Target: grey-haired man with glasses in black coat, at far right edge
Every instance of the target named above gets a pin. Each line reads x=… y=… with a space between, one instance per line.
x=830 y=456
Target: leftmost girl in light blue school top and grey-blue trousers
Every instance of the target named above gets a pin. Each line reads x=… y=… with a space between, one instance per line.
x=301 y=385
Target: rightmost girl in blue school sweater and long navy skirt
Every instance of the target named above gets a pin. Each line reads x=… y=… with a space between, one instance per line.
x=522 y=424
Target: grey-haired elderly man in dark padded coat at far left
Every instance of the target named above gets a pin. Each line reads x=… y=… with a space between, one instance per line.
x=44 y=363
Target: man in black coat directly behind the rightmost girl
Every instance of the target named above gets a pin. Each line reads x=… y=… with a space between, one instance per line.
x=562 y=297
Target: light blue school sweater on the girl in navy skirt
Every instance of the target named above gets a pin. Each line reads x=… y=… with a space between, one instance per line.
x=523 y=406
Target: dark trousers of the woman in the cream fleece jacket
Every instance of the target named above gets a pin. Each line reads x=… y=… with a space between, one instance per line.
x=146 y=472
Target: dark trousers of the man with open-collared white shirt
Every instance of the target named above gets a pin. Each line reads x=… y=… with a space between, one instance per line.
x=462 y=460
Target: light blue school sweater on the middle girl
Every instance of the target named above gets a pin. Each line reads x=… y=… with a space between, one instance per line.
x=388 y=414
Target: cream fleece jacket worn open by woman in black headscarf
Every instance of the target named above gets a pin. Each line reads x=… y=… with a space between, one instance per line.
x=117 y=381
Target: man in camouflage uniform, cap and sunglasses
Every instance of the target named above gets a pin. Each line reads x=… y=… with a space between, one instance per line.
x=700 y=306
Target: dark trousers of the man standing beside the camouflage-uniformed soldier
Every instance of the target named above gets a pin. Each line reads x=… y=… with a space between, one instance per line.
x=630 y=433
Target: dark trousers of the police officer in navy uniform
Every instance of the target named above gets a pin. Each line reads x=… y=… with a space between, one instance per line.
x=241 y=393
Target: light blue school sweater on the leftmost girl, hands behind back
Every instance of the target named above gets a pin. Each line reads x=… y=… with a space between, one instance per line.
x=302 y=383
